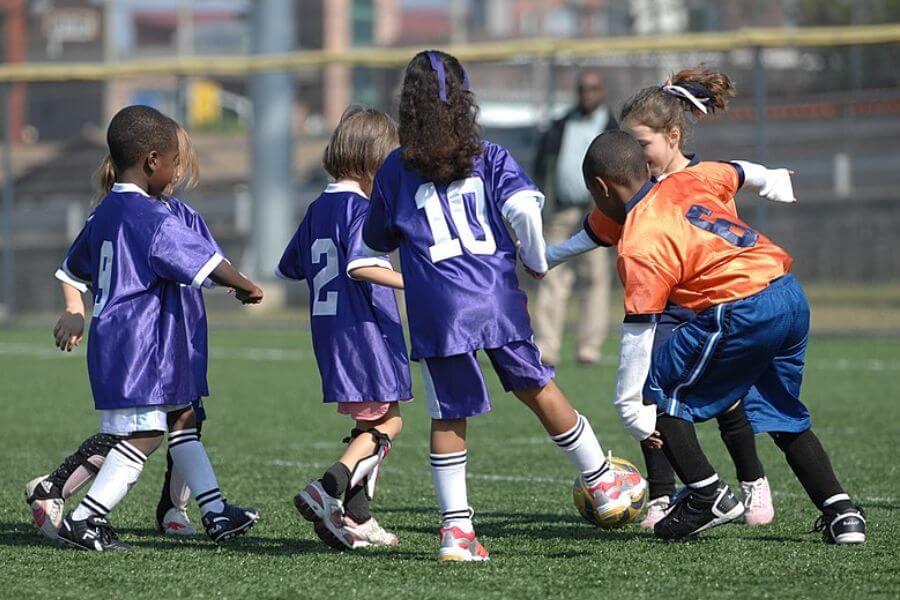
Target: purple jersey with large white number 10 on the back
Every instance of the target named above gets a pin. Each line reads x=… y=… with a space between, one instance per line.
x=457 y=257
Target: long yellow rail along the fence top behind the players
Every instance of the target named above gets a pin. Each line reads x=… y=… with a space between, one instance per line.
x=480 y=52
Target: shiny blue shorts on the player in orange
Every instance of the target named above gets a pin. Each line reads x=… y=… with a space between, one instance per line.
x=751 y=348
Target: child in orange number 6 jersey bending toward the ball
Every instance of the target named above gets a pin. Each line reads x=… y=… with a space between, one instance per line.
x=682 y=242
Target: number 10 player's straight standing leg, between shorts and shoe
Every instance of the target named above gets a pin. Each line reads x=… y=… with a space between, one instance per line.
x=448 y=471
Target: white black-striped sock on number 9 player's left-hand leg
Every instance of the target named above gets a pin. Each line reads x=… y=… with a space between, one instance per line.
x=120 y=470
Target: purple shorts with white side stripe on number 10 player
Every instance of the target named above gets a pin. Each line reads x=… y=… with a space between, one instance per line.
x=455 y=386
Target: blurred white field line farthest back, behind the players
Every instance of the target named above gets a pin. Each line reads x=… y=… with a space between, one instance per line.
x=284 y=355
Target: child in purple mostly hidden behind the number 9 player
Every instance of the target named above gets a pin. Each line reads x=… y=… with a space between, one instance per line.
x=46 y=495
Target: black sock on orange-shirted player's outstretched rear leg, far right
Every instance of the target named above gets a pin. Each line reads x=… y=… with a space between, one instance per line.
x=810 y=463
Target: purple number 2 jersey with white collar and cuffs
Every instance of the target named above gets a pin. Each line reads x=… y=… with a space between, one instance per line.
x=356 y=332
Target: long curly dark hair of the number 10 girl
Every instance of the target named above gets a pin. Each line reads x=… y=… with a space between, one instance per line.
x=439 y=140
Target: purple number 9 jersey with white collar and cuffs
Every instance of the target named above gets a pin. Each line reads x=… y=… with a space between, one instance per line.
x=136 y=254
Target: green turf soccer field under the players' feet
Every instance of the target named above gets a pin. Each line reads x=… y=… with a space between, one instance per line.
x=268 y=433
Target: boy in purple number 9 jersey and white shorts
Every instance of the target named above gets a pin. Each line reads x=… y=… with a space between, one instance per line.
x=135 y=253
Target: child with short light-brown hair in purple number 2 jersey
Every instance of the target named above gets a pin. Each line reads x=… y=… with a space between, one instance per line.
x=356 y=331
